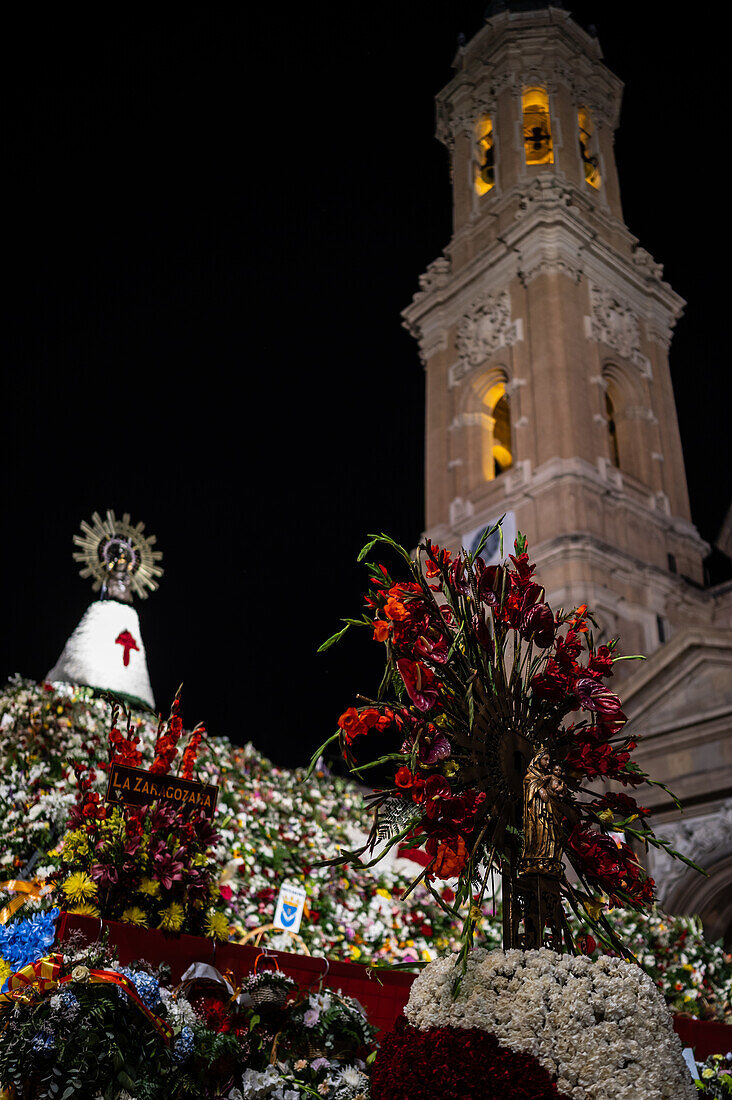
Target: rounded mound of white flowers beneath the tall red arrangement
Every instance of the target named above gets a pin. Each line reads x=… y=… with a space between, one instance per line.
x=599 y=1027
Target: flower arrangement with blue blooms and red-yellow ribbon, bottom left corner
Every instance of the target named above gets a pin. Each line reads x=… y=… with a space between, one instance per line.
x=82 y=1027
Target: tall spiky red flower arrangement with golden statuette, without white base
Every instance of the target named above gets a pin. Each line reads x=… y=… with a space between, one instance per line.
x=505 y=739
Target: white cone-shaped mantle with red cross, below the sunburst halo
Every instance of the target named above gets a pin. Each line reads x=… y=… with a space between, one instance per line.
x=107 y=652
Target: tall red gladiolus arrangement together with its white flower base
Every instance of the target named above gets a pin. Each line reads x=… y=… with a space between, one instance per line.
x=508 y=766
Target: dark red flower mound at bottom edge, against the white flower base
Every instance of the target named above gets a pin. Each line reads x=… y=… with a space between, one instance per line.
x=456 y=1064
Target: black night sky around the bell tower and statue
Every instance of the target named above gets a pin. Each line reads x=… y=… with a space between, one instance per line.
x=213 y=222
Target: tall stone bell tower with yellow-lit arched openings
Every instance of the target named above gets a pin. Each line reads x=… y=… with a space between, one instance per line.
x=544 y=331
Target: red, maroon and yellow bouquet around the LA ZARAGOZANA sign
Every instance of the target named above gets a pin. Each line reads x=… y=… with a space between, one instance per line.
x=146 y=866
